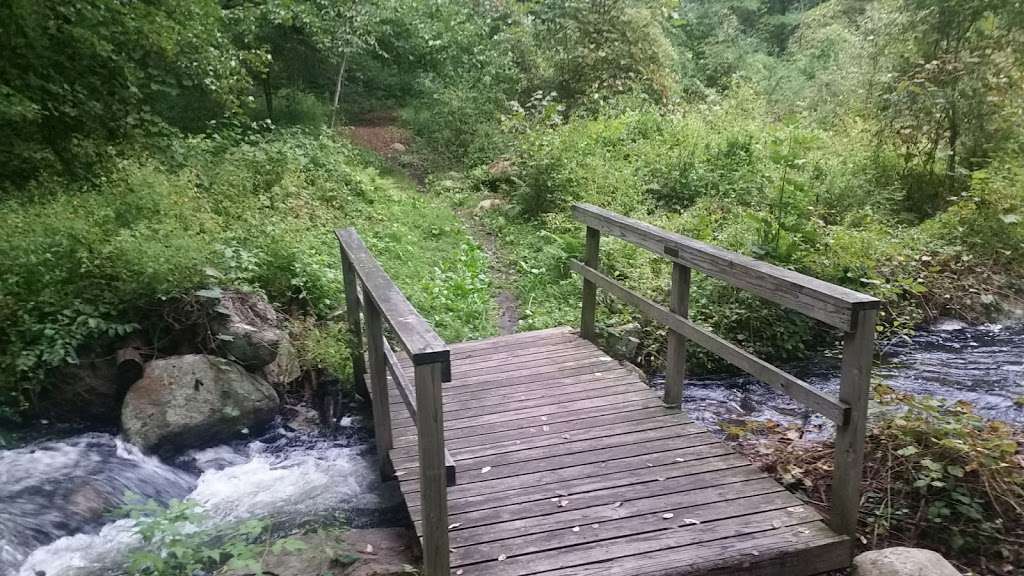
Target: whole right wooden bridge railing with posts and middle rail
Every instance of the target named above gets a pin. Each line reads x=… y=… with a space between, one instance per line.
x=851 y=312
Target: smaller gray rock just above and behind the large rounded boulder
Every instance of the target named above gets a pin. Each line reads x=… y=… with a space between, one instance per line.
x=247 y=328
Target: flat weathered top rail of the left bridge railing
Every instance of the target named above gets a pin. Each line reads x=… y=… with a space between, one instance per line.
x=413 y=333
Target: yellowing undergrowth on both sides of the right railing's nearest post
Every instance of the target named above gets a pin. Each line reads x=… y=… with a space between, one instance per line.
x=937 y=476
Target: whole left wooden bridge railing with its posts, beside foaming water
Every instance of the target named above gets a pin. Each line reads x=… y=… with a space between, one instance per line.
x=369 y=289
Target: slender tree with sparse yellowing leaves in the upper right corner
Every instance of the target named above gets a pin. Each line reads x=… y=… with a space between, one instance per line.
x=957 y=69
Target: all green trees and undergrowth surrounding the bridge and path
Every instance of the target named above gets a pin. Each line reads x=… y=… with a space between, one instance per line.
x=157 y=149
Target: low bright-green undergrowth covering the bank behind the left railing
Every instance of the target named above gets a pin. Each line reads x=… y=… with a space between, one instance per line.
x=91 y=263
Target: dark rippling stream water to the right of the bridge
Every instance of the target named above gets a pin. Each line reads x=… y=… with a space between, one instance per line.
x=983 y=365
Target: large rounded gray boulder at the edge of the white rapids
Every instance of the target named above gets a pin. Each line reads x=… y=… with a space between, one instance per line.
x=195 y=401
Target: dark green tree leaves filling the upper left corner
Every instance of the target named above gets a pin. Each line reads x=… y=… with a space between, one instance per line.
x=146 y=61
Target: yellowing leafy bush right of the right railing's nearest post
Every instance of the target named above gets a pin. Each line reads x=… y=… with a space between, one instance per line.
x=953 y=479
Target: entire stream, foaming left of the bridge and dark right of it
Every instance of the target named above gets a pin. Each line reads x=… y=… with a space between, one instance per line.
x=57 y=496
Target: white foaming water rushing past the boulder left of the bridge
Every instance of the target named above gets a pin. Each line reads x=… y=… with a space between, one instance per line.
x=56 y=497
